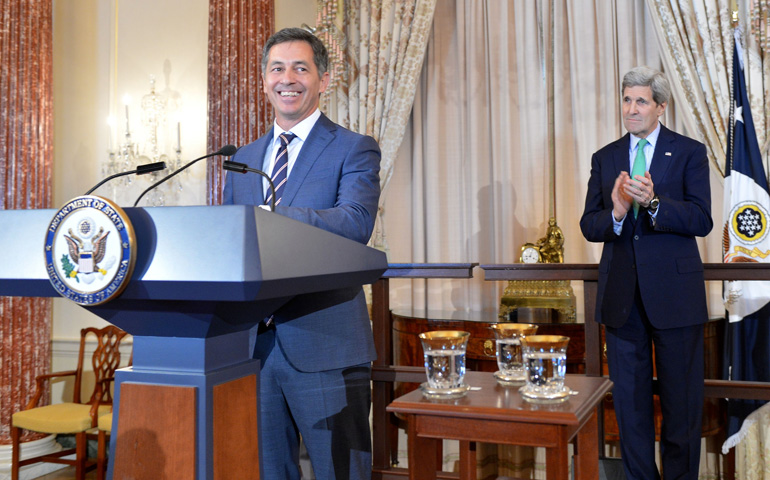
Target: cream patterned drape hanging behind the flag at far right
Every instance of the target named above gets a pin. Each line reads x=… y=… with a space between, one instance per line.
x=696 y=40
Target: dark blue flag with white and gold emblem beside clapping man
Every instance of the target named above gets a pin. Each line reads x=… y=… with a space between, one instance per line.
x=745 y=239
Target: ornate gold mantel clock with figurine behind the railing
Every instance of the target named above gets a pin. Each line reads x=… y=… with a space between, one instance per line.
x=541 y=294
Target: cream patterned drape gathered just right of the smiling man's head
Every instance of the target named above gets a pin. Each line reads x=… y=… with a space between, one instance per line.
x=385 y=45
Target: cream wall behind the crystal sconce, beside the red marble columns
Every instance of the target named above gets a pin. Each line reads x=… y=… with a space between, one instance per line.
x=104 y=50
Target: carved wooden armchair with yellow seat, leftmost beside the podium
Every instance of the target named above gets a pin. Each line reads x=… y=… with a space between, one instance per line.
x=74 y=417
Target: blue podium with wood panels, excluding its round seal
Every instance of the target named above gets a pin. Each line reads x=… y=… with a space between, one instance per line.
x=203 y=277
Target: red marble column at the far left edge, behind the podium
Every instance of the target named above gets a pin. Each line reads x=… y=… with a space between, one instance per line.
x=26 y=156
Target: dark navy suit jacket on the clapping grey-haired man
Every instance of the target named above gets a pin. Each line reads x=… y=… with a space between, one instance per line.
x=664 y=258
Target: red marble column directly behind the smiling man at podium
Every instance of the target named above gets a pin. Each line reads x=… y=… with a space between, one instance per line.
x=238 y=110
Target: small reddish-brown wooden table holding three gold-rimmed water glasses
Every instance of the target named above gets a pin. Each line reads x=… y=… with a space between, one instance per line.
x=498 y=414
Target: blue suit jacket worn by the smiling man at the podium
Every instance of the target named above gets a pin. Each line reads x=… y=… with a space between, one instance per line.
x=333 y=185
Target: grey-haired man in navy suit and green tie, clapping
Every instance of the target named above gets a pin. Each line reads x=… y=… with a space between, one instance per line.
x=651 y=287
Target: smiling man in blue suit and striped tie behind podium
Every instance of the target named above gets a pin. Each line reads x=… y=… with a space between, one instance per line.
x=316 y=350
